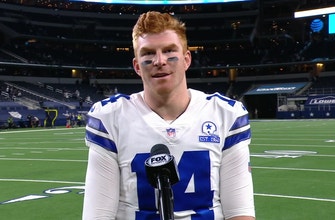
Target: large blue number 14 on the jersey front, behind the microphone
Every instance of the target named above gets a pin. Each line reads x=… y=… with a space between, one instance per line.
x=192 y=192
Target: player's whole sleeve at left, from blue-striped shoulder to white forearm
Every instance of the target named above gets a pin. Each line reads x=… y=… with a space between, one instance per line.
x=102 y=184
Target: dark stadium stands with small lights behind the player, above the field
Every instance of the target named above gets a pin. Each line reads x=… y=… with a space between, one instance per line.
x=48 y=51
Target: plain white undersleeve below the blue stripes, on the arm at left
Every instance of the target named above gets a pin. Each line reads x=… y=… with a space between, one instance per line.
x=101 y=185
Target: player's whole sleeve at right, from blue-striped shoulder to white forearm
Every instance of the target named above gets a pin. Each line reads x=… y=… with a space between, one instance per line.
x=236 y=186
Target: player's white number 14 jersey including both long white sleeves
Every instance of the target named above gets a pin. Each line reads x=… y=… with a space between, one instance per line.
x=209 y=142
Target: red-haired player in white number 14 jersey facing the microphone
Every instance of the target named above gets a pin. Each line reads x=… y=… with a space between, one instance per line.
x=208 y=134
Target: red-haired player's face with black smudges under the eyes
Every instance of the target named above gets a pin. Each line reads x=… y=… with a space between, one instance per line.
x=161 y=62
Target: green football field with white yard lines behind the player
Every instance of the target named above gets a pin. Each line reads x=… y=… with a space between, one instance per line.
x=293 y=164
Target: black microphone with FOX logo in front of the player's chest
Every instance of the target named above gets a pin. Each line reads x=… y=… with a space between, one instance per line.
x=162 y=172
